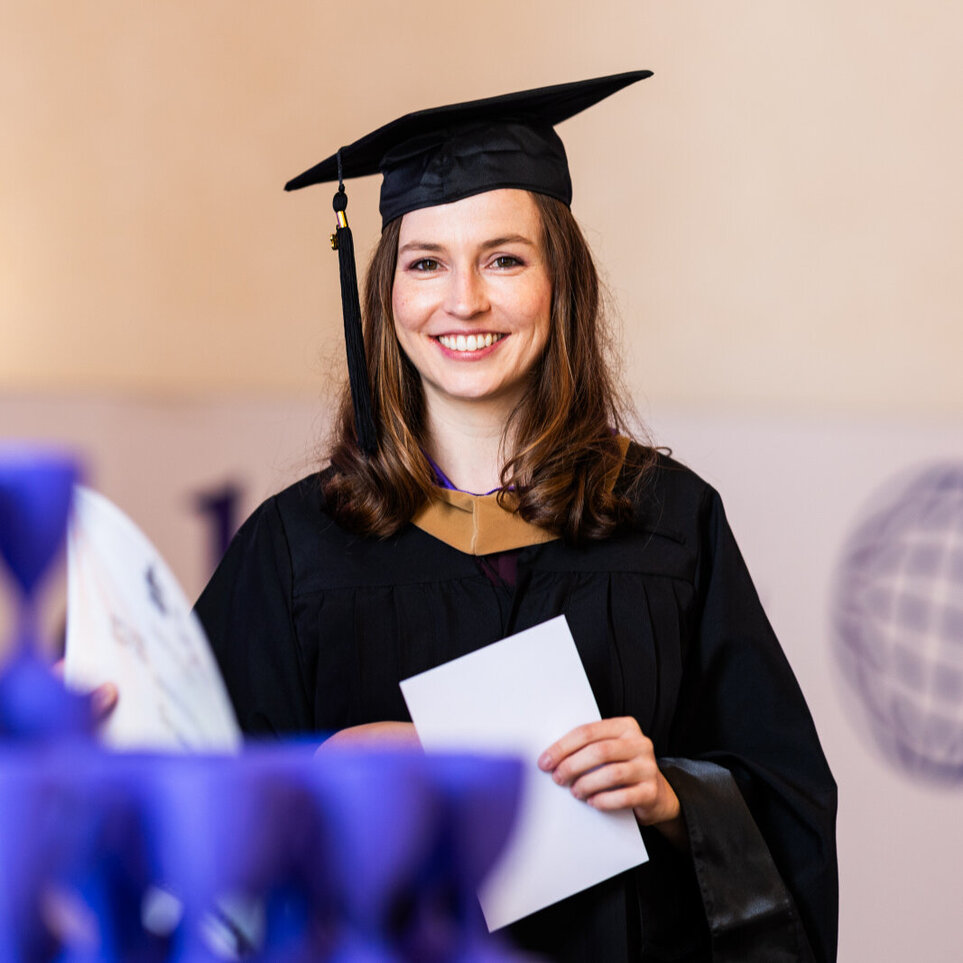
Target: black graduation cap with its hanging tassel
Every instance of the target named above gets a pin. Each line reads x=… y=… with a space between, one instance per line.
x=442 y=155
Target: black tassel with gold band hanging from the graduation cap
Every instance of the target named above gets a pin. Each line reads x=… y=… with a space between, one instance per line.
x=353 y=335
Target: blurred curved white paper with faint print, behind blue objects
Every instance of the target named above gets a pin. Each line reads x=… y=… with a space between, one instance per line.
x=129 y=622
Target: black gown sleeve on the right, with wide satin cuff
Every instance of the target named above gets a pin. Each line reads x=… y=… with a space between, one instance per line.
x=756 y=792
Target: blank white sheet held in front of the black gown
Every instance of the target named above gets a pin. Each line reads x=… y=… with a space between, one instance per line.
x=518 y=696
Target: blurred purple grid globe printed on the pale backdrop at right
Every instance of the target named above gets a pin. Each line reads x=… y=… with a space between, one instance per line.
x=898 y=619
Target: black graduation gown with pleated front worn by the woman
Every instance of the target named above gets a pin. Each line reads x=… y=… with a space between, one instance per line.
x=313 y=628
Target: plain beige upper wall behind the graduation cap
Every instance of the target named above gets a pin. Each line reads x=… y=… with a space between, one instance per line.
x=778 y=211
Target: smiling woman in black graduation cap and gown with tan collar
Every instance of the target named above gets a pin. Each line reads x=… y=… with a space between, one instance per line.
x=485 y=363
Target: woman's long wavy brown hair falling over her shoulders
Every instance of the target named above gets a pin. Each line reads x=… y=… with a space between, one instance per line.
x=565 y=449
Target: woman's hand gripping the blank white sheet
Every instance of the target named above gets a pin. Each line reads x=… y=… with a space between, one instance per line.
x=611 y=765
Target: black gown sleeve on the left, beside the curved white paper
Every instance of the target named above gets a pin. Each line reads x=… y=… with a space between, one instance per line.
x=246 y=610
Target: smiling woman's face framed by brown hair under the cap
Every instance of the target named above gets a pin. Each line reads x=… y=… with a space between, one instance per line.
x=472 y=297
